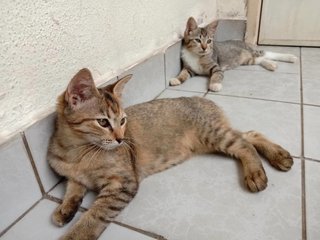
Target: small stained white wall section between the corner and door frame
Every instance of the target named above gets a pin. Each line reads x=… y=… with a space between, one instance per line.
x=232 y=9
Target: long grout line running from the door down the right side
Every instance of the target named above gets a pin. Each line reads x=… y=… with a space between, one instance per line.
x=303 y=177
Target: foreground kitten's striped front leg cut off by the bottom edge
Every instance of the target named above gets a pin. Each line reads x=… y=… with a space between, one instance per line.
x=108 y=204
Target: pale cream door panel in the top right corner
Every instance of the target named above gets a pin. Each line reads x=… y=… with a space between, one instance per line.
x=290 y=22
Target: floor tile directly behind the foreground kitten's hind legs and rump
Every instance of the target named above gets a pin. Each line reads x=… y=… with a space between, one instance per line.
x=280 y=122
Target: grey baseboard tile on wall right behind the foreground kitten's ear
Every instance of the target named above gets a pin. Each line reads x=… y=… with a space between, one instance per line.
x=147 y=82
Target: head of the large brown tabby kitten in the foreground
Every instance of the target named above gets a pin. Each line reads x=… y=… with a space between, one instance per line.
x=95 y=116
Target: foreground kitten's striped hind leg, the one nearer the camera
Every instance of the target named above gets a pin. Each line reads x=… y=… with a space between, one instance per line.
x=232 y=143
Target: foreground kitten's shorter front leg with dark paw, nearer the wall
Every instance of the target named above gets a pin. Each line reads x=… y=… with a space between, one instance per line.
x=70 y=204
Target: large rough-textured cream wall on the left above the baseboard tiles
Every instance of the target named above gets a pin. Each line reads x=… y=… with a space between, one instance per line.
x=43 y=43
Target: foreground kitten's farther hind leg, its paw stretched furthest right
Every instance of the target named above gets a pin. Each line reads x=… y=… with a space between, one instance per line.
x=275 y=154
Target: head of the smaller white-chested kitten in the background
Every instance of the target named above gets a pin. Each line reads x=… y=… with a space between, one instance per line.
x=199 y=40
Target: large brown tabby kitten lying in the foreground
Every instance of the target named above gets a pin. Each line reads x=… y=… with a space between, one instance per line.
x=98 y=145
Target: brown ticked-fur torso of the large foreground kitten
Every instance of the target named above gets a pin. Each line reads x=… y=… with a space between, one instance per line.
x=167 y=131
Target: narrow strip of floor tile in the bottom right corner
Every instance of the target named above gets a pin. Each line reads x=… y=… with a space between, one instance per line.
x=312 y=199
